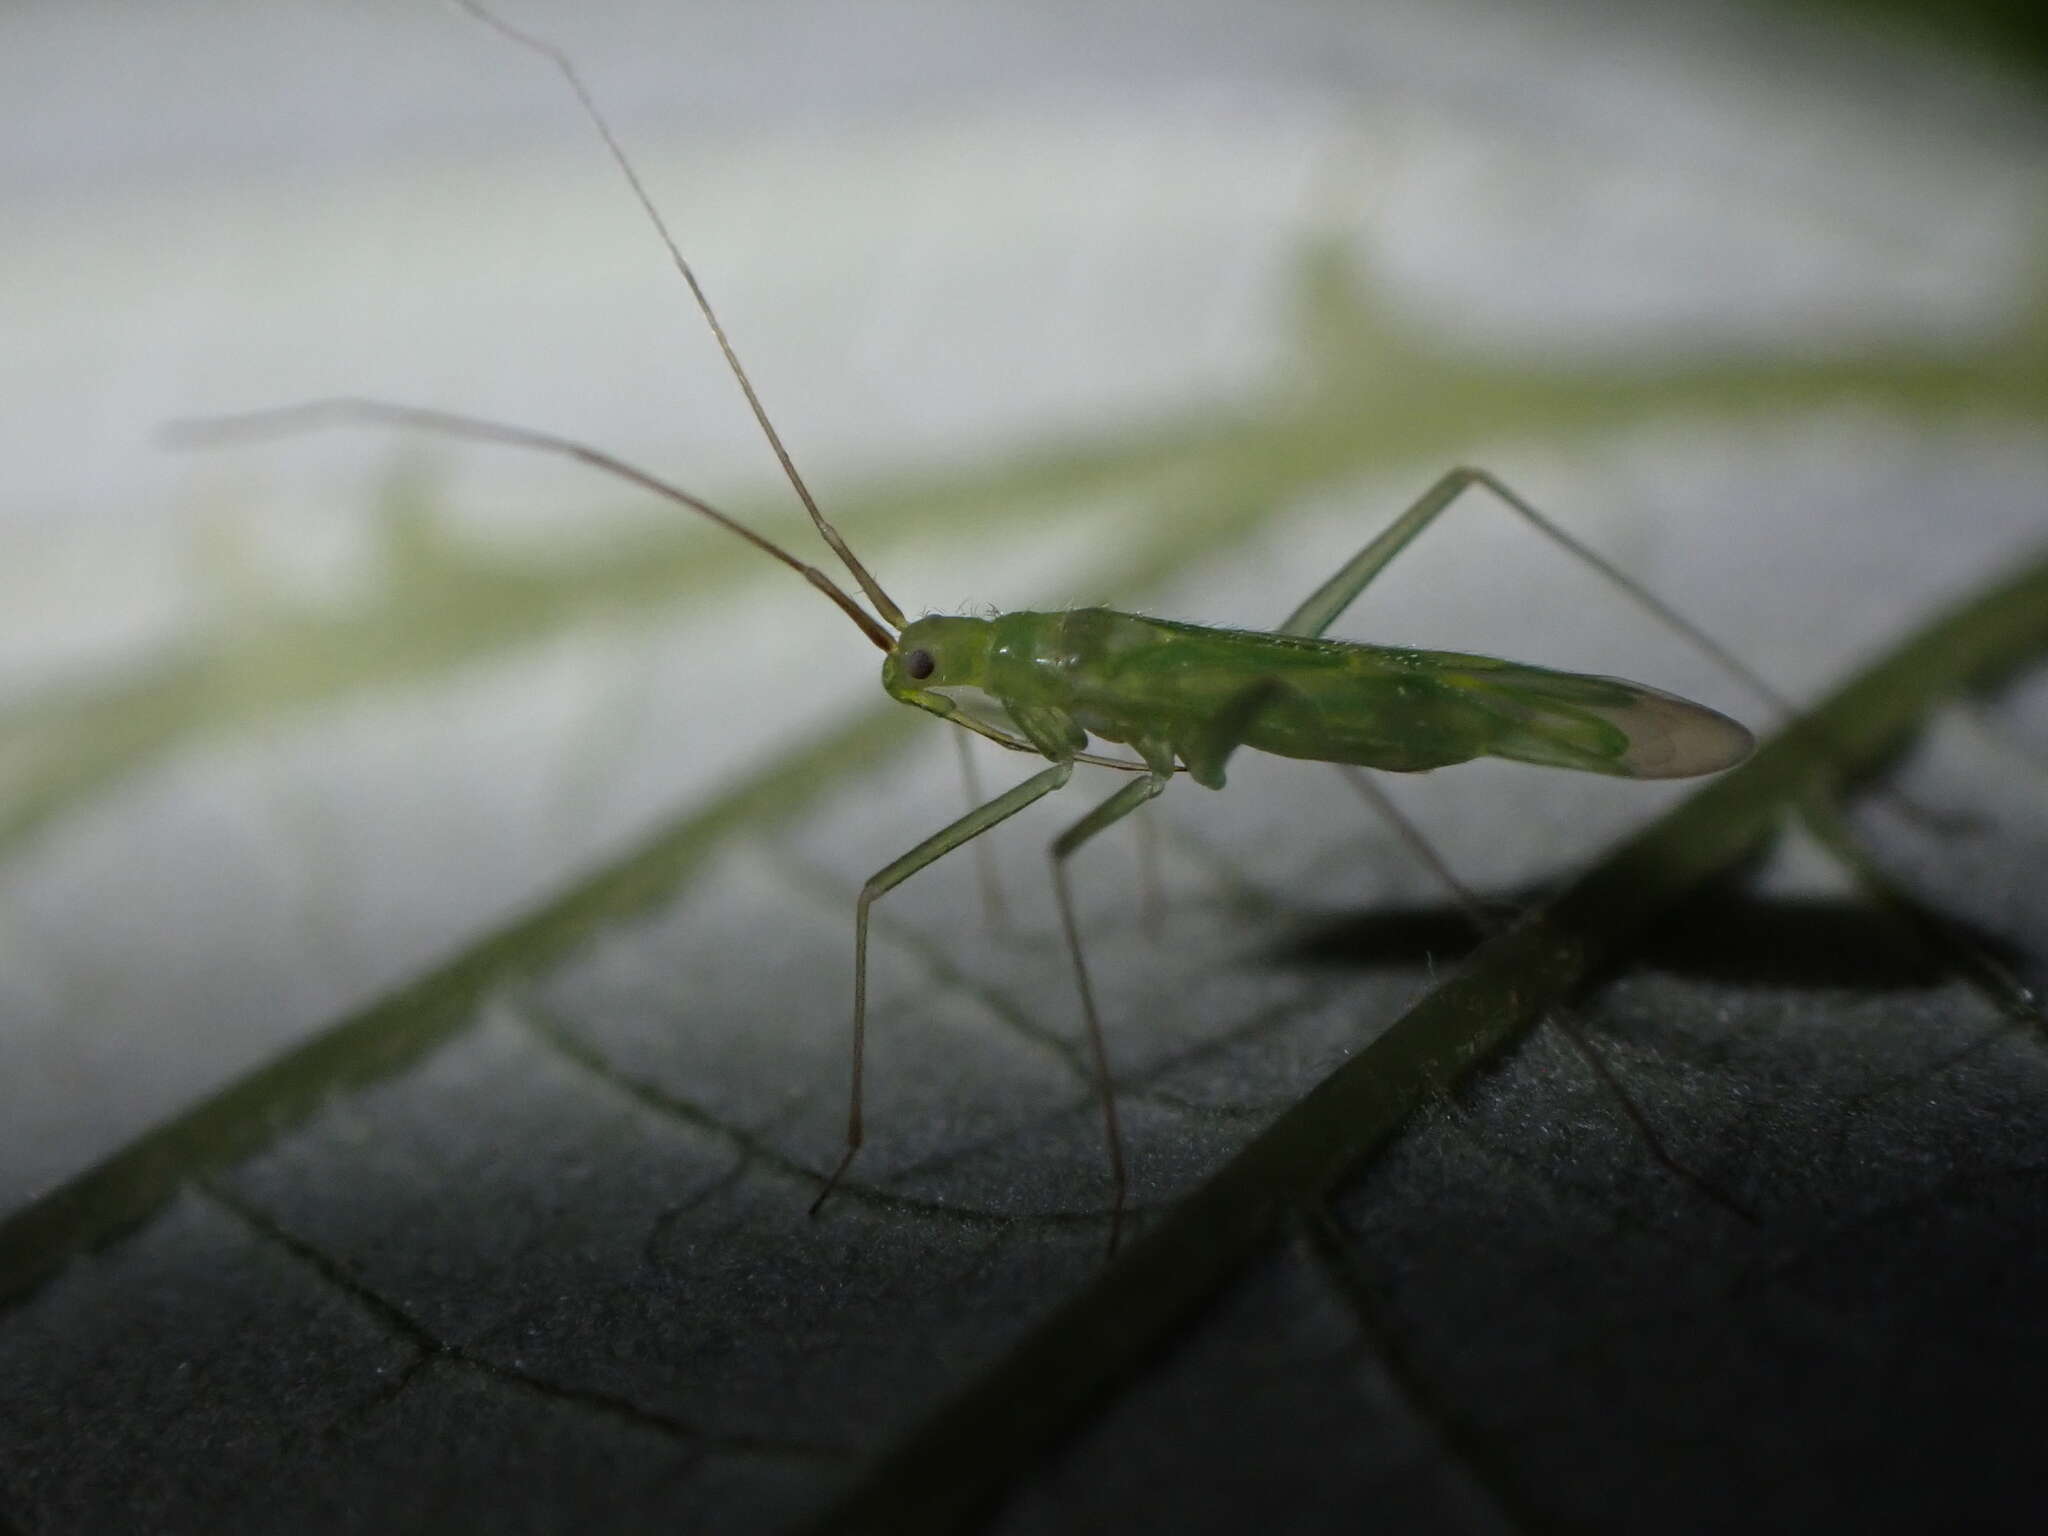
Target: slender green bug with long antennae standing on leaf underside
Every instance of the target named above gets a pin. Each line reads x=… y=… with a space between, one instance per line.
x=1181 y=697
